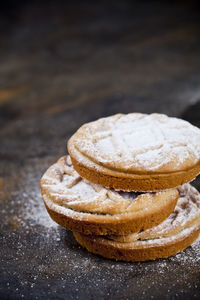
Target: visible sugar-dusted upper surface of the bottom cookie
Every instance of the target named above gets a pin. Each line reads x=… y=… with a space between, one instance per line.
x=184 y=219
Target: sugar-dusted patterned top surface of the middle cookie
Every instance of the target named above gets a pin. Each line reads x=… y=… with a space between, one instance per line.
x=62 y=184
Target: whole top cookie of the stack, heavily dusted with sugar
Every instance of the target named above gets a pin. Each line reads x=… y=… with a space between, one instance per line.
x=137 y=151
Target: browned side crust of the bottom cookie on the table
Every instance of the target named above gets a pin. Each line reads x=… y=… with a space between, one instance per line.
x=109 y=249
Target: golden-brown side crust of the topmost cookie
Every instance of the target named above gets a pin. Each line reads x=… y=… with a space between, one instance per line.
x=133 y=182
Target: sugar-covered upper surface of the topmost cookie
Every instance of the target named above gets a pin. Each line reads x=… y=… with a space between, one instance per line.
x=139 y=142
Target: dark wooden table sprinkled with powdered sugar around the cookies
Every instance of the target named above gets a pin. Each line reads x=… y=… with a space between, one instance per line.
x=62 y=65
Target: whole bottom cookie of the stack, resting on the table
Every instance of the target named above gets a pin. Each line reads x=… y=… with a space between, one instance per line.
x=174 y=234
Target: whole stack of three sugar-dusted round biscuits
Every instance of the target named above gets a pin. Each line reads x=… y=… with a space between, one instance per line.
x=124 y=188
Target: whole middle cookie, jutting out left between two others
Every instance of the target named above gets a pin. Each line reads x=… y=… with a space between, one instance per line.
x=85 y=207
